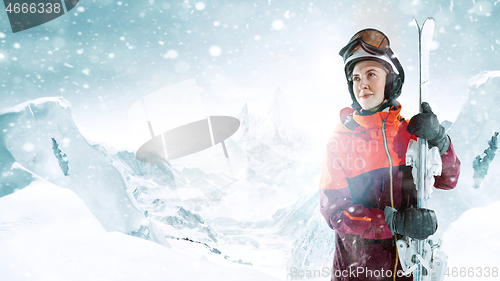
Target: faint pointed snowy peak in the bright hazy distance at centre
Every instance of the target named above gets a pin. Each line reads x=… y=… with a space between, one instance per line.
x=277 y=150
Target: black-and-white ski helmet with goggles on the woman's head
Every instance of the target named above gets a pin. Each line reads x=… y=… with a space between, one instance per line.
x=371 y=44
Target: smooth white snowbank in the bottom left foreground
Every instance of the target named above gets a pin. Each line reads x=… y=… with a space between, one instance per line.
x=48 y=233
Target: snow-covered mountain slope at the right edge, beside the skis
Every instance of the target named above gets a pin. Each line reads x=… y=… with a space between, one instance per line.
x=470 y=133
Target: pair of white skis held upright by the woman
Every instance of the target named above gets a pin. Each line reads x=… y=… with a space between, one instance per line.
x=422 y=258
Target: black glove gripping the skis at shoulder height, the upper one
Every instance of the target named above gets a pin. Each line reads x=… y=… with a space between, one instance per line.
x=425 y=125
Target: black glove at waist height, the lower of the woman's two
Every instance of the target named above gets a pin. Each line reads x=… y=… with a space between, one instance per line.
x=413 y=222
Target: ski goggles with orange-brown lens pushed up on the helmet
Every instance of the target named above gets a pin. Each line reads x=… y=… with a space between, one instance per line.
x=371 y=40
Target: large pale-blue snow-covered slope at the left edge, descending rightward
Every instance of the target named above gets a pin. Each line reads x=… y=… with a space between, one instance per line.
x=28 y=134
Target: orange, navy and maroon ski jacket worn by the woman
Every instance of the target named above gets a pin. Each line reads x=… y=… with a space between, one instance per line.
x=364 y=171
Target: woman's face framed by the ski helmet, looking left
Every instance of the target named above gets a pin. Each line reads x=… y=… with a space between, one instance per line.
x=369 y=84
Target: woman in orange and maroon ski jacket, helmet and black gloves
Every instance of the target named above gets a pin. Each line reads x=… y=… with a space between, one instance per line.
x=367 y=194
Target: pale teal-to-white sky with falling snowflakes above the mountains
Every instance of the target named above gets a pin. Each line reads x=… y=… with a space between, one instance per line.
x=103 y=56
